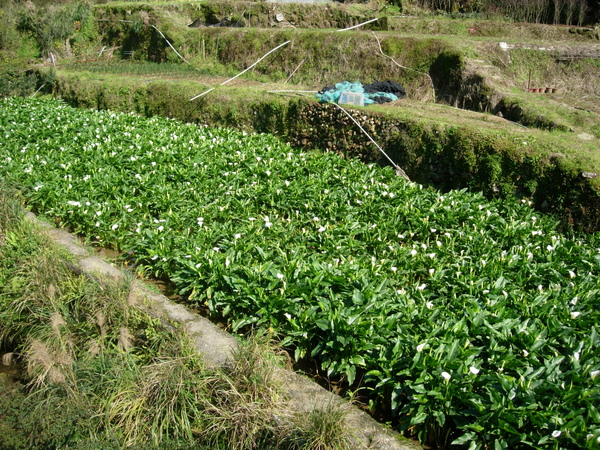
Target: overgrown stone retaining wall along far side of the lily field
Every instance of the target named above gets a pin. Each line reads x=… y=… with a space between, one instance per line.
x=446 y=157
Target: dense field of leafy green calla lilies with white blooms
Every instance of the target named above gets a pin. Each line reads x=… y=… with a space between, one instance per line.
x=469 y=320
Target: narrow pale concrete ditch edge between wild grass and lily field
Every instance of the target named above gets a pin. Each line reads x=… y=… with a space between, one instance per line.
x=216 y=347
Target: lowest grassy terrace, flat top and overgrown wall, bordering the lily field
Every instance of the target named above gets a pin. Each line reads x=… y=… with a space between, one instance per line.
x=434 y=143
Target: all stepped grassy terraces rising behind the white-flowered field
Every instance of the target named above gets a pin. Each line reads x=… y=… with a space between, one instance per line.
x=558 y=132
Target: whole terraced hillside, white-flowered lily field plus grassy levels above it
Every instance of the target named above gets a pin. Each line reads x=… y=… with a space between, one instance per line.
x=461 y=305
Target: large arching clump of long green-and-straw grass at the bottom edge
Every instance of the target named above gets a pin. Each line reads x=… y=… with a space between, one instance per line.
x=177 y=397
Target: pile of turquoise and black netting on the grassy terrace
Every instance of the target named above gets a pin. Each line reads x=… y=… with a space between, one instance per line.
x=358 y=94
